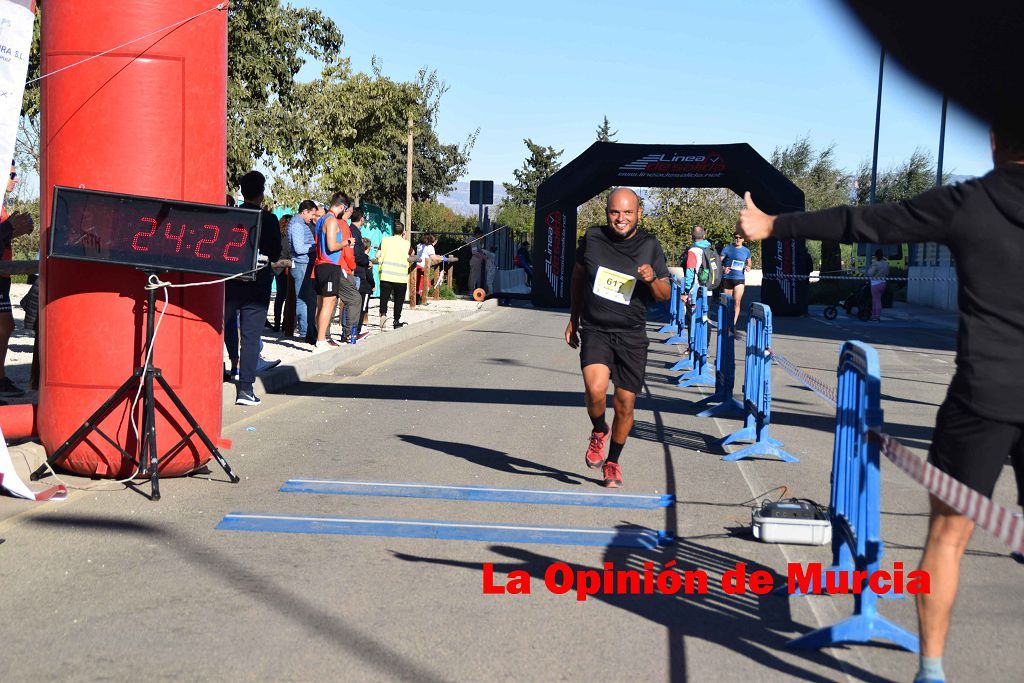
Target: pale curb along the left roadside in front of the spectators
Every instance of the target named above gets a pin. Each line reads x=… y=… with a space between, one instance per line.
x=286 y=375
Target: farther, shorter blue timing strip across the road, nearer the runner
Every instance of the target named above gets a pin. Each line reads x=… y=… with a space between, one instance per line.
x=485 y=494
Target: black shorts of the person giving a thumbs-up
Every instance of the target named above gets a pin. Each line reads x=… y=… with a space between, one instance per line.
x=974 y=450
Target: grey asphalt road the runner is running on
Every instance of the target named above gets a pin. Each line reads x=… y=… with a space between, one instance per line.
x=112 y=587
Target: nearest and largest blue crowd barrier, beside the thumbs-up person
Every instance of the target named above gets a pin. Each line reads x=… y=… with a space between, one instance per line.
x=856 y=507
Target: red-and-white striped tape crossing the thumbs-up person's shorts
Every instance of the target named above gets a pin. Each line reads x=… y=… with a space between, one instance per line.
x=988 y=515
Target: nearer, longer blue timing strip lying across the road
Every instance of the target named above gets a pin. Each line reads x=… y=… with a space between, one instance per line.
x=414 y=529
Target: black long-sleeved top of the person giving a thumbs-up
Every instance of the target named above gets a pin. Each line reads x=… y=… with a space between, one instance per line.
x=983 y=223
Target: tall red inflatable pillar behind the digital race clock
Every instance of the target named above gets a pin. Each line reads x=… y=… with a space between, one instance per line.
x=146 y=119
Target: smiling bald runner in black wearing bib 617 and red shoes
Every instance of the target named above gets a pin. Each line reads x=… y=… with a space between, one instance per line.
x=620 y=270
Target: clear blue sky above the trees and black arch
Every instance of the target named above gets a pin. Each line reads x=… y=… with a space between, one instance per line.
x=682 y=72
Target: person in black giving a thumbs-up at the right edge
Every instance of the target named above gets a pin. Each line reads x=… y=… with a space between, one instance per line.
x=980 y=422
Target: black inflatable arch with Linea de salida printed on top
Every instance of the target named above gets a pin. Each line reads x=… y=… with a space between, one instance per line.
x=604 y=165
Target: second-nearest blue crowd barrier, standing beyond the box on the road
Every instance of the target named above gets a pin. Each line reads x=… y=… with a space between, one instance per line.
x=757 y=393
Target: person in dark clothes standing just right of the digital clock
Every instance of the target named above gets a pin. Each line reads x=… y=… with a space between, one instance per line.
x=249 y=301
